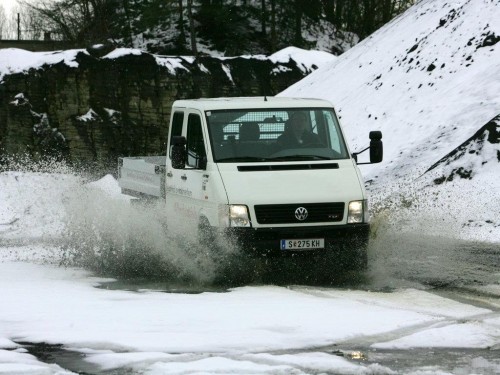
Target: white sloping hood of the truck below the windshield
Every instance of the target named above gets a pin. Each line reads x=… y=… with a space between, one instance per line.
x=291 y=182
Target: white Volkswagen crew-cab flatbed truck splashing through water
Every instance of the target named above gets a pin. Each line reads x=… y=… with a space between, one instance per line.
x=243 y=168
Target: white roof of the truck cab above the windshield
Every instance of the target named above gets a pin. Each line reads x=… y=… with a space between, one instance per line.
x=257 y=102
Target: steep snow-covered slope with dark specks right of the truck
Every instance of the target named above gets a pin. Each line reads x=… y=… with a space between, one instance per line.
x=430 y=80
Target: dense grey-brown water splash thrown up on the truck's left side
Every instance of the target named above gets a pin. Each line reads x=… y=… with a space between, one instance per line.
x=114 y=236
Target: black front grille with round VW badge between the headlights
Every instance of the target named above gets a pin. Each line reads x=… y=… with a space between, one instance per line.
x=293 y=213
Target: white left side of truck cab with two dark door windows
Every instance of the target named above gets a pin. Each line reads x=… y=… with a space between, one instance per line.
x=184 y=187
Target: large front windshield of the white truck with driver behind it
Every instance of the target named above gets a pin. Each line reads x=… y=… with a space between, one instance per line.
x=275 y=135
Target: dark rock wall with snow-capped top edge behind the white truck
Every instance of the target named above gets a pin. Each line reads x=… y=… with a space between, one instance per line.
x=107 y=108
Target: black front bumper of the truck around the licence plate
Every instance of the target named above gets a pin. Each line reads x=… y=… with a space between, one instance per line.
x=266 y=241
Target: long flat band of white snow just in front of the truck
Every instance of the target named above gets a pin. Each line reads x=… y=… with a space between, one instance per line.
x=257 y=318
